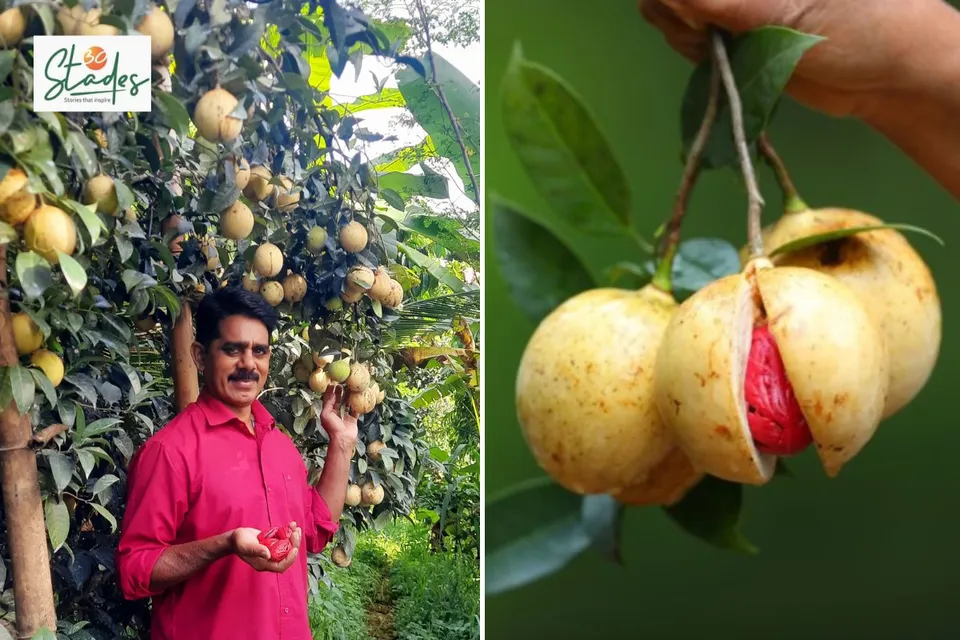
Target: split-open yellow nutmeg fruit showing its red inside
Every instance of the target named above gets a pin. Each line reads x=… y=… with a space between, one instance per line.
x=762 y=363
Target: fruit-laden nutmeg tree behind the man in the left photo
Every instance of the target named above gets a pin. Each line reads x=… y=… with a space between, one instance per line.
x=113 y=225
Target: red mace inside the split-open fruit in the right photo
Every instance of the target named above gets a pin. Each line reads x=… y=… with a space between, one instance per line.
x=773 y=413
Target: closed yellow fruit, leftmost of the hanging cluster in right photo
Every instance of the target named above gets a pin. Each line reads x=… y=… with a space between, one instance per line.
x=585 y=399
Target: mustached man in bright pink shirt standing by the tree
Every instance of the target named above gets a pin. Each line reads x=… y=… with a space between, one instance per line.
x=204 y=486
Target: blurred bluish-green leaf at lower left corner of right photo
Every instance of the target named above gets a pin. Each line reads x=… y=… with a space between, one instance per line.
x=532 y=531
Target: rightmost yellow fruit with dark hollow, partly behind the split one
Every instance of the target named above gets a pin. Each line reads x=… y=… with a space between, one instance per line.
x=888 y=275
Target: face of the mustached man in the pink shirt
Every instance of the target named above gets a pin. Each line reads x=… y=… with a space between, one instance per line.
x=236 y=364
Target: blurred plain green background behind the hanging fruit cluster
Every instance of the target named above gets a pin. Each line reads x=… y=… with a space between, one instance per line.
x=871 y=554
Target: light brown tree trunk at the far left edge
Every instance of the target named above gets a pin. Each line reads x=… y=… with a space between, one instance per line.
x=23 y=508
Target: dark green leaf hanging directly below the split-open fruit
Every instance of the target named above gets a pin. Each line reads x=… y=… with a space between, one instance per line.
x=711 y=511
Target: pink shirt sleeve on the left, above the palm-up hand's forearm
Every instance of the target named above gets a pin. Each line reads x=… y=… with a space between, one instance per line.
x=156 y=504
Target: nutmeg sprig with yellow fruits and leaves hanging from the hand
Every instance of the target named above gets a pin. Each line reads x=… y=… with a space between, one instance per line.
x=672 y=382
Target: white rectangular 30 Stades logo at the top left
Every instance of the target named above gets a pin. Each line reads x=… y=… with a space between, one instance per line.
x=92 y=73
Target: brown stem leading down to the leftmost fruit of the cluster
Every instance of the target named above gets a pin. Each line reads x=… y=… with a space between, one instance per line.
x=662 y=279
